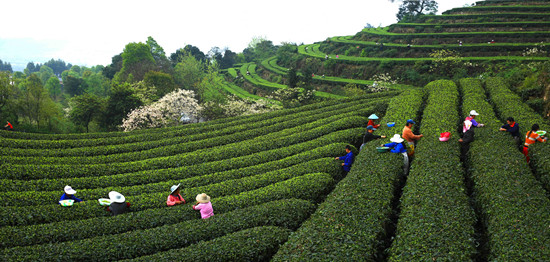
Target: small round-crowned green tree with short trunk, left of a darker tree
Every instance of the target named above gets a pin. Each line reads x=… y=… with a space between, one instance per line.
x=84 y=109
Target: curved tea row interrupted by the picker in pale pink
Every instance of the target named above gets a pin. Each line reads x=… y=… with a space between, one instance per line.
x=308 y=187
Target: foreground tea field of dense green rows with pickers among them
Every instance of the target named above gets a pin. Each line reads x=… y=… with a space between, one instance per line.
x=277 y=192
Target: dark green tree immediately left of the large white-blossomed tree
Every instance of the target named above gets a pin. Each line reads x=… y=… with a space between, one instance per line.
x=122 y=101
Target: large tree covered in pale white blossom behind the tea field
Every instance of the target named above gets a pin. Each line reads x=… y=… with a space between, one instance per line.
x=177 y=107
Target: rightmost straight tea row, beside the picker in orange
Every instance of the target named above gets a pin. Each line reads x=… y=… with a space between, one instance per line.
x=509 y=104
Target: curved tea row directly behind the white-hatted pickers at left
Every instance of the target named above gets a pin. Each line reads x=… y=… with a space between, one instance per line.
x=265 y=160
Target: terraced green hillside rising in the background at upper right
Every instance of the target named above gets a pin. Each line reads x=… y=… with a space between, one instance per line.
x=485 y=38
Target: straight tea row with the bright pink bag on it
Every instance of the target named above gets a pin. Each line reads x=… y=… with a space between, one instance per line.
x=436 y=220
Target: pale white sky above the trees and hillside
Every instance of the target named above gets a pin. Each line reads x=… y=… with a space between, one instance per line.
x=89 y=33
